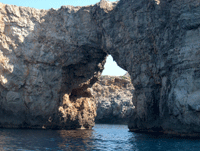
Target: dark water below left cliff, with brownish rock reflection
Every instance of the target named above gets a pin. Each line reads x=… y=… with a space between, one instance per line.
x=15 y=139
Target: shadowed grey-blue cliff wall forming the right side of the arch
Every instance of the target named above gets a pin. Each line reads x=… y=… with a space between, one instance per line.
x=158 y=43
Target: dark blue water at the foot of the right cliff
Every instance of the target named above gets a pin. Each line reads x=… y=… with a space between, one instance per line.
x=162 y=142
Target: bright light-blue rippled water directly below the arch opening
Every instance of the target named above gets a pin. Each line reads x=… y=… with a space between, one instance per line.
x=112 y=137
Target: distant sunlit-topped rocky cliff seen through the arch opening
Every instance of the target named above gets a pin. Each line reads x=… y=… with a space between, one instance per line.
x=113 y=95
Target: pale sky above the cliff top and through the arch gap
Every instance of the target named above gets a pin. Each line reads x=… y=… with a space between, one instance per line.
x=111 y=67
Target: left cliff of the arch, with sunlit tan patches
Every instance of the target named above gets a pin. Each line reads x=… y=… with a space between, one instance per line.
x=48 y=59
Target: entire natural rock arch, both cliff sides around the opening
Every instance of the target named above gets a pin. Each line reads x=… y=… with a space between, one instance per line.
x=49 y=58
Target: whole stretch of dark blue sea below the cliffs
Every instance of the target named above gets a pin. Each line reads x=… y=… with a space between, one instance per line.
x=102 y=137
